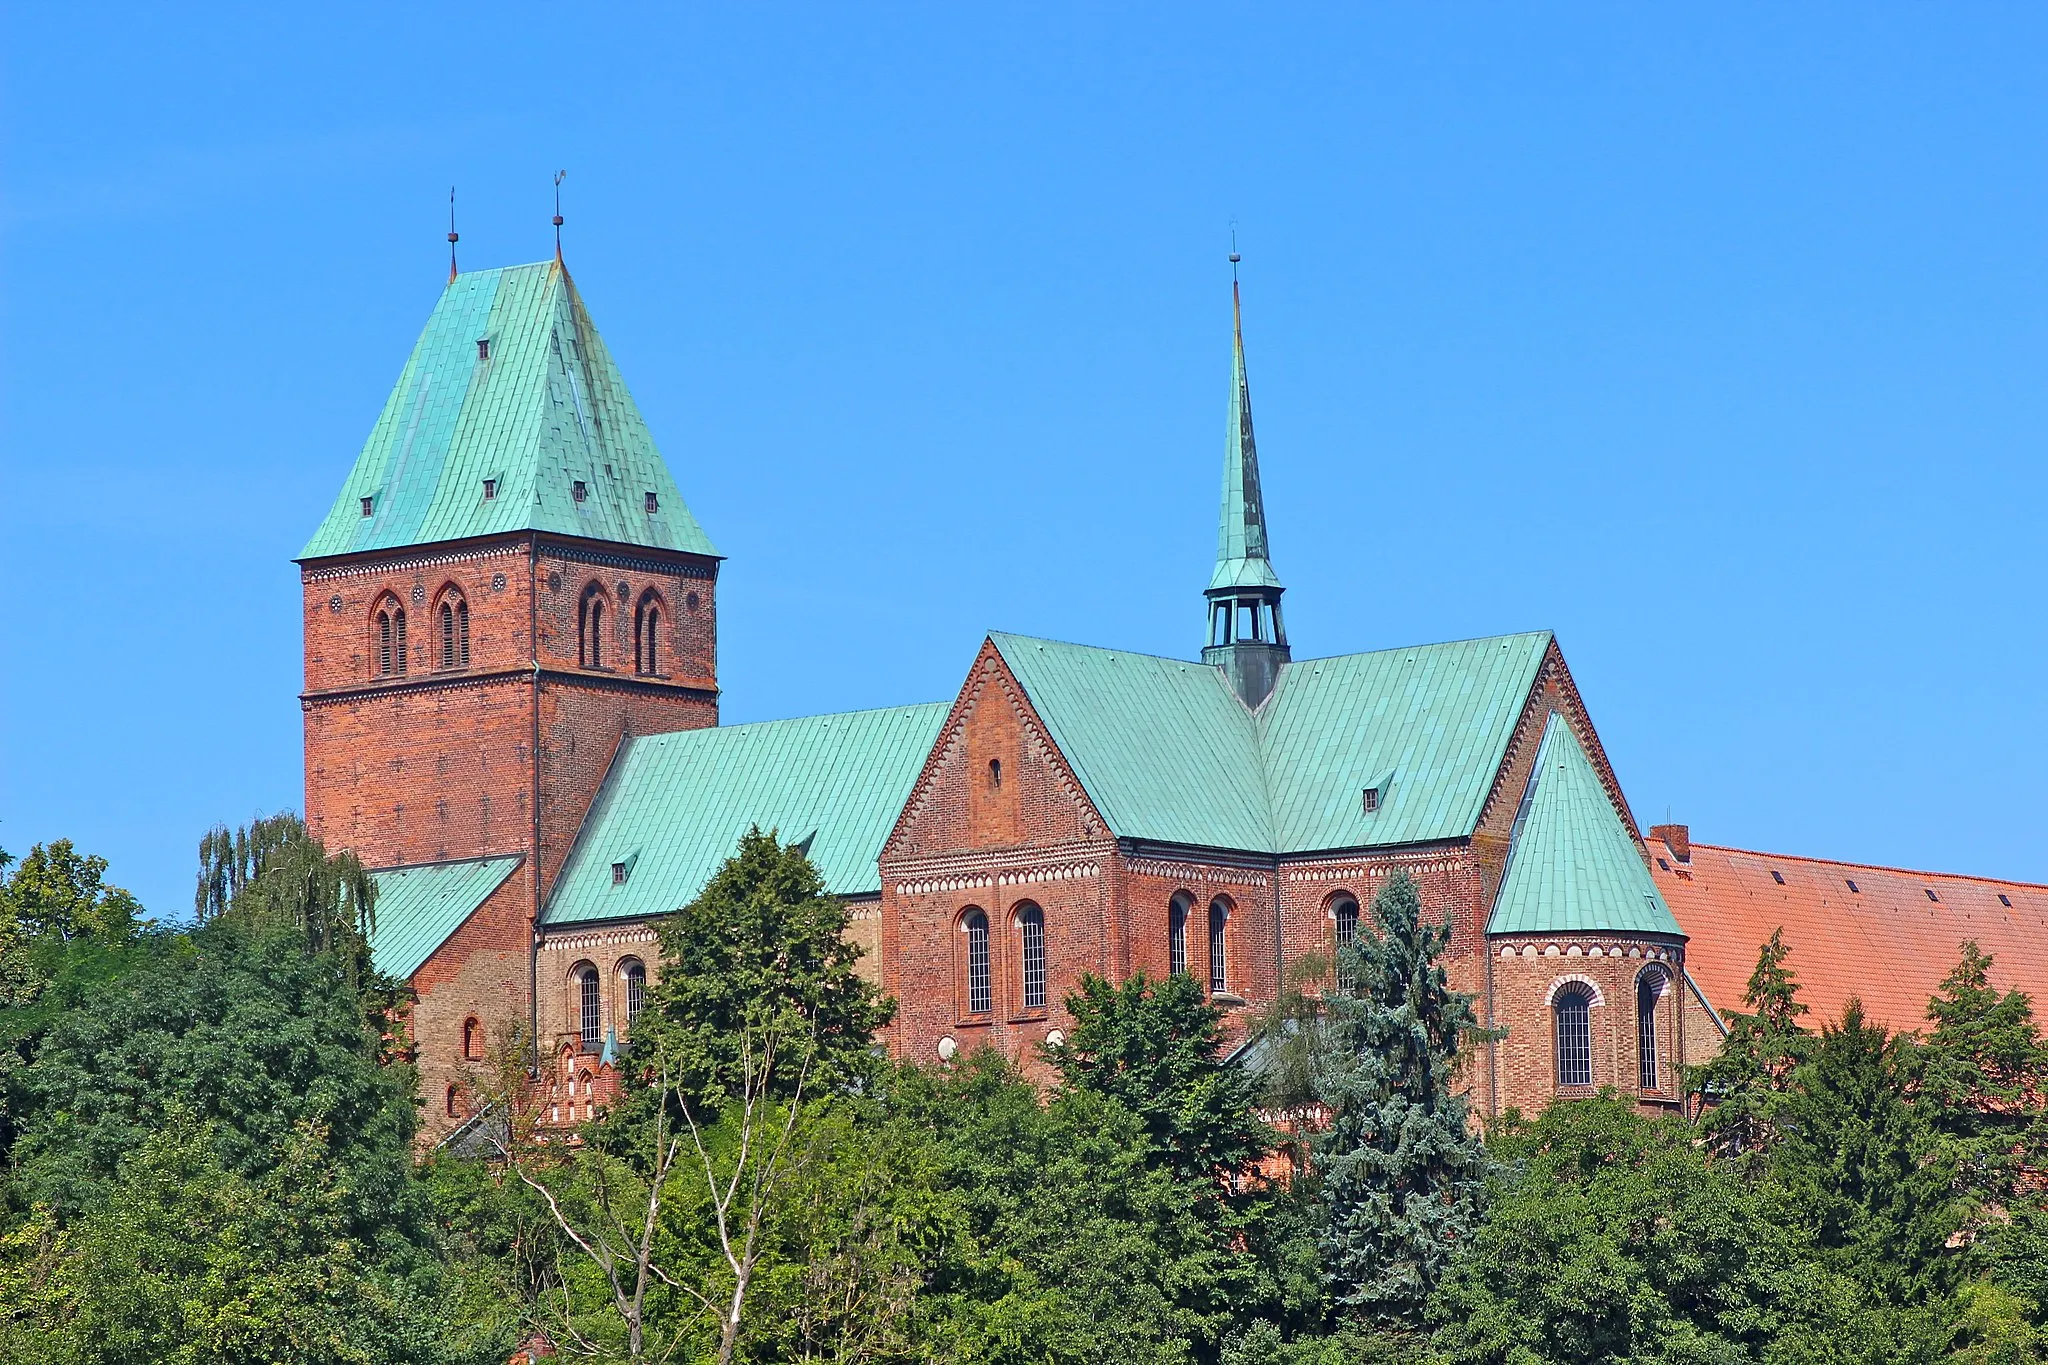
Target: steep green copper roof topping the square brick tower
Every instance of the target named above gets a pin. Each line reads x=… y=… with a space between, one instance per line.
x=538 y=412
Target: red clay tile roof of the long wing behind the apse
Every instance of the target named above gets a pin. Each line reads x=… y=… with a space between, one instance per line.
x=1891 y=940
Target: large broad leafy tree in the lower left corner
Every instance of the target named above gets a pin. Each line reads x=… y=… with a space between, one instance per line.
x=222 y=1170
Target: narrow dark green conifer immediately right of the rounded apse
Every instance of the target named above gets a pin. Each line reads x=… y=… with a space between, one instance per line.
x=1746 y=1082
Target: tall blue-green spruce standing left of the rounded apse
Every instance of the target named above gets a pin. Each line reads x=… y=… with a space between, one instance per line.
x=1402 y=1172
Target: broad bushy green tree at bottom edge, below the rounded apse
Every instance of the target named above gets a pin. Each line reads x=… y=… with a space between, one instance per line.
x=1611 y=1237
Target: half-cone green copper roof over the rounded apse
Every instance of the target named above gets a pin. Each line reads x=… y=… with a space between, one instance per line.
x=1574 y=863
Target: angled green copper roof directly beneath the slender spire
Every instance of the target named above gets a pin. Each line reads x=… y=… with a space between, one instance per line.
x=1170 y=754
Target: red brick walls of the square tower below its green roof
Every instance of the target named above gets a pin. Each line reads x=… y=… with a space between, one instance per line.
x=439 y=764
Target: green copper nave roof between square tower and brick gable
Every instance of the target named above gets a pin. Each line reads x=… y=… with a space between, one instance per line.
x=675 y=807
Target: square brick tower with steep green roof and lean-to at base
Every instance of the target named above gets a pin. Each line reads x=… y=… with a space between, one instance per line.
x=507 y=586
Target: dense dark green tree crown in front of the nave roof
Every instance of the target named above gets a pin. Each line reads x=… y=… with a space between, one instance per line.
x=761 y=961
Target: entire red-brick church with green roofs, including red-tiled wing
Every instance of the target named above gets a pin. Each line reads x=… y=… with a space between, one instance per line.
x=513 y=717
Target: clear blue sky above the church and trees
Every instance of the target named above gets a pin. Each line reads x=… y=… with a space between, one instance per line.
x=1713 y=341
